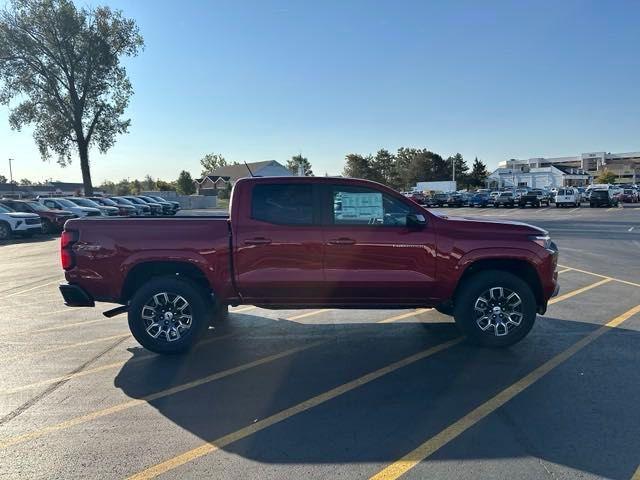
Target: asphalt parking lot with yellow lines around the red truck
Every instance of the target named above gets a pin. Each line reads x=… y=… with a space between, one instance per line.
x=332 y=394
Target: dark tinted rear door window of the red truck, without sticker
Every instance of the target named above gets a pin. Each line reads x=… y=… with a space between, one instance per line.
x=283 y=204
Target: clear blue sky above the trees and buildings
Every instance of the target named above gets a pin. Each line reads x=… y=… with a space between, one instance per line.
x=266 y=80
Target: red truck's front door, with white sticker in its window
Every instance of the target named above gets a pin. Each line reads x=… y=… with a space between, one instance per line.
x=371 y=255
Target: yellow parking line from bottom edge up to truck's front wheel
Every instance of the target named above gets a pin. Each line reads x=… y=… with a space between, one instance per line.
x=260 y=425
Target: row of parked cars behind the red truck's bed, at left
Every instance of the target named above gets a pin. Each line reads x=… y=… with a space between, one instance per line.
x=26 y=217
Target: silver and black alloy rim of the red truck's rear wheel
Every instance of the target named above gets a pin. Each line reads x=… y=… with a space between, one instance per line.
x=167 y=316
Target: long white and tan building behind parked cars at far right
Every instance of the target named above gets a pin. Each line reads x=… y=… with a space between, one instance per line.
x=625 y=165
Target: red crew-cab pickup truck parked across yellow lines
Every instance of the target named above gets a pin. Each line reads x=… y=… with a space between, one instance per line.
x=301 y=242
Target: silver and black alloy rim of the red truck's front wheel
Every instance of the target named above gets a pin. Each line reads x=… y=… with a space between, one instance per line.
x=498 y=311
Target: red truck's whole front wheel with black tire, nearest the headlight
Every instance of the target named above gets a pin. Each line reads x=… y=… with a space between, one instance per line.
x=495 y=308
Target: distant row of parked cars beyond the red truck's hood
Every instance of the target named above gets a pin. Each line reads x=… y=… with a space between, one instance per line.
x=596 y=195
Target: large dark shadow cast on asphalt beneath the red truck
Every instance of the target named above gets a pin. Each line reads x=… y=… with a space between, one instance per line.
x=582 y=415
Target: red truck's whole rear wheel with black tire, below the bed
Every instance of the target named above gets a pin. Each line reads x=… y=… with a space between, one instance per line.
x=168 y=315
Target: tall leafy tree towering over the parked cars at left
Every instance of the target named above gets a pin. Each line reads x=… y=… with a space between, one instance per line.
x=62 y=64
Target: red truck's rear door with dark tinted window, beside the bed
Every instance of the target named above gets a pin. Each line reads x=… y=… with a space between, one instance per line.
x=278 y=241
